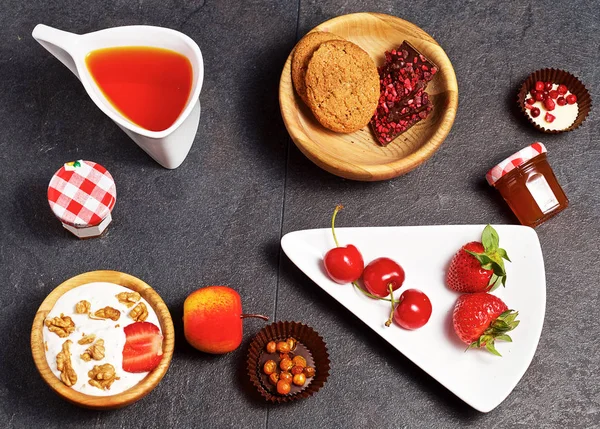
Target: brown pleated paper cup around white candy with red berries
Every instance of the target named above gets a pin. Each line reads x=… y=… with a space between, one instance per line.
x=584 y=101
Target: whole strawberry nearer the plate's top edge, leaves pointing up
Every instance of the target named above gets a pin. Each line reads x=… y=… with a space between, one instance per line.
x=478 y=266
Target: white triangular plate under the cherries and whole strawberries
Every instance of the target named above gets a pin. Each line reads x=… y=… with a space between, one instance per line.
x=477 y=377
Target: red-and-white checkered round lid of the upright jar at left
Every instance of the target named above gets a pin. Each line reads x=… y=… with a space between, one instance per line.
x=82 y=193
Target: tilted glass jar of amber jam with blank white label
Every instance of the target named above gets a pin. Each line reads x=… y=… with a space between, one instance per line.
x=528 y=184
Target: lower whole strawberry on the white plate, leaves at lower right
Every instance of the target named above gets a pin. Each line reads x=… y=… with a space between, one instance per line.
x=480 y=318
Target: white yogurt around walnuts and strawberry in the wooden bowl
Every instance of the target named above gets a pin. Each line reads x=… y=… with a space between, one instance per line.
x=99 y=295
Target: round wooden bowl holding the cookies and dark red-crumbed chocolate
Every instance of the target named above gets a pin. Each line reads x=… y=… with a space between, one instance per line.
x=357 y=156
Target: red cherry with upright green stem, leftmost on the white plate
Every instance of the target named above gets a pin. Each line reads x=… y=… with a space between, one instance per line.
x=343 y=264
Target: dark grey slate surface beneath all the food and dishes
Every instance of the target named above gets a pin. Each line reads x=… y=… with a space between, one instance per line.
x=219 y=217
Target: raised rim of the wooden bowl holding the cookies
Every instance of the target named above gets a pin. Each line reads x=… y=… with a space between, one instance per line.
x=372 y=172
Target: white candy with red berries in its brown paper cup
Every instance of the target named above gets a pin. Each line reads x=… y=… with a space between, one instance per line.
x=567 y=117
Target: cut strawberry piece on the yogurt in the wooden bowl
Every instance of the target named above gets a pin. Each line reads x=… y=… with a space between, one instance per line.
x=143 y=347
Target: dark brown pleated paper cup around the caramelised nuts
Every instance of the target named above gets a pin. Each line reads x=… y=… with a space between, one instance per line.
x=314 y=351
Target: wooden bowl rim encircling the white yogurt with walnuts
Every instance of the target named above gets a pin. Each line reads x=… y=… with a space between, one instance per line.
x=130 y=395
